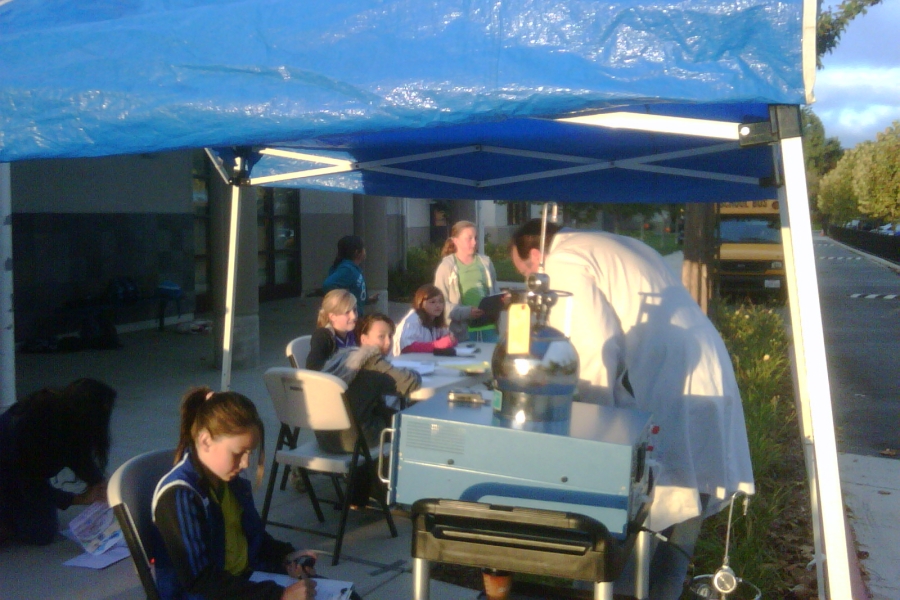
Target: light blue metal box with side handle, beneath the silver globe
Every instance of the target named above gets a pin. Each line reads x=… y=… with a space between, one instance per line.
x=462 y=451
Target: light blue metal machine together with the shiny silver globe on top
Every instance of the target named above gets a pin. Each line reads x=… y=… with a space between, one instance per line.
x=532 y=447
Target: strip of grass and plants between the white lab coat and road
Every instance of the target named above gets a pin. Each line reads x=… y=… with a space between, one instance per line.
x=772 y=544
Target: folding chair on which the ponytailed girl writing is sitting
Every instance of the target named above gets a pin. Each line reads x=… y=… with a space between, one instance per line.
x=130 y=493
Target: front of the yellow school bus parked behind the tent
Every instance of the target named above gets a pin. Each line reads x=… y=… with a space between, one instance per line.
x=750 y=253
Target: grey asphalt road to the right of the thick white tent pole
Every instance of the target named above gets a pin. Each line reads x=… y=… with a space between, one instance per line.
x=860 y=300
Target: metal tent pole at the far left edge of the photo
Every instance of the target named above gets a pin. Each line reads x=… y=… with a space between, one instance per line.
x=7 y=314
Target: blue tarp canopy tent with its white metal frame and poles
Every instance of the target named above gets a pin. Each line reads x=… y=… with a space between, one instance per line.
x=565 y=100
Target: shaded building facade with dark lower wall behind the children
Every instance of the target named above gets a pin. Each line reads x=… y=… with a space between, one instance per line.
x=82 y=226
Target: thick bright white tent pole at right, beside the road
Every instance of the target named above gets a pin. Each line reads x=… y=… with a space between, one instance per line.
x=809 y=345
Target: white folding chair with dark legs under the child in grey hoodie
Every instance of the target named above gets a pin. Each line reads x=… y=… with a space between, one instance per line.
x=314 y=400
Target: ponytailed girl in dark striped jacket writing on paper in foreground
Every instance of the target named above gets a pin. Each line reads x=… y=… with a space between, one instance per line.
x=212 y=535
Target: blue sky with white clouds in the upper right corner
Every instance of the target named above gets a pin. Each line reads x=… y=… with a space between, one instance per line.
x=858 y=90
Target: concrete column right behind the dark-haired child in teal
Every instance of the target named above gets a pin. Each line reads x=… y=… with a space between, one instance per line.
x=370 y=223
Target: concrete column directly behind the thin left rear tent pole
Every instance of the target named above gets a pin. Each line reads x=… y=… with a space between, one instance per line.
x=246 y=309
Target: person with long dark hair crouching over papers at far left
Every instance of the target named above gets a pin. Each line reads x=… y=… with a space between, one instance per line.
x=41 y=435
